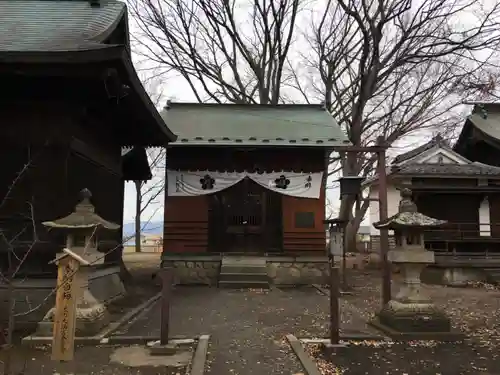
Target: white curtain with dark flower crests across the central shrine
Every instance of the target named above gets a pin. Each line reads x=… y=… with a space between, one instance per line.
x=192 y=183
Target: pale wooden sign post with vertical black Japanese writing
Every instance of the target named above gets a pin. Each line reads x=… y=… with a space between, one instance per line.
x=63 y=346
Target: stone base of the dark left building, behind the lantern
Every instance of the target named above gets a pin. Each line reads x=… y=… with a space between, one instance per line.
x=33 y=295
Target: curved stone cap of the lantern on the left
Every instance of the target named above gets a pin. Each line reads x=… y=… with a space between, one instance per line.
x=82 y=217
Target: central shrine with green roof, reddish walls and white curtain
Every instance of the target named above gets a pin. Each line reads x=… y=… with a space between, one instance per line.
x=248 y=179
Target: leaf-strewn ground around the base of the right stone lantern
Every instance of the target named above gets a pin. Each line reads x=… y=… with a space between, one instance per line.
x=475 y=311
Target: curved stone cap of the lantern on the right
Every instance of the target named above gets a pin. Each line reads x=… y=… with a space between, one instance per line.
x=408 y=216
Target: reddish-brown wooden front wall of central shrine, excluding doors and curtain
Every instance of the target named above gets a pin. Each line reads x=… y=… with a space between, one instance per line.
x=193 y=212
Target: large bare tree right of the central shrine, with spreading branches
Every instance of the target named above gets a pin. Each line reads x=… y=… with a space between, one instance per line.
x=394 y=68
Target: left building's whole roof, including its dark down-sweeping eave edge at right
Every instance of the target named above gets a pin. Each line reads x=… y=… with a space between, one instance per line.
x=78 y=31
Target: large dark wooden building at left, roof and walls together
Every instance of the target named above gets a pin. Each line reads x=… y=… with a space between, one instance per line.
x=71 y=102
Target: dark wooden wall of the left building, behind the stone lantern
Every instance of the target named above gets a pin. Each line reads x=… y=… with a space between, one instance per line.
x=37 y=143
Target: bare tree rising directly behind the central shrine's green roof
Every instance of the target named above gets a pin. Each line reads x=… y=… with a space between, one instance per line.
x=227 y=51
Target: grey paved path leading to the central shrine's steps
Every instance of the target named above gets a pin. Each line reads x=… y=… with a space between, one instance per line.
x=247 y=327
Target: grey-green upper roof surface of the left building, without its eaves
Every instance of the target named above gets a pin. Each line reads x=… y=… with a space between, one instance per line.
x=34 y=25
